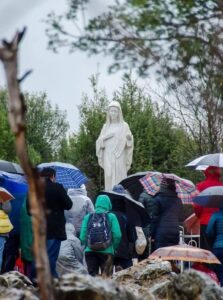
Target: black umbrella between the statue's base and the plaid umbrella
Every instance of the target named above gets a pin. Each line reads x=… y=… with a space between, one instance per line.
x=133 y=185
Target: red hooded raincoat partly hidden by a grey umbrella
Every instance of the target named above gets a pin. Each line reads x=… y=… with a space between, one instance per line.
x=212 y=175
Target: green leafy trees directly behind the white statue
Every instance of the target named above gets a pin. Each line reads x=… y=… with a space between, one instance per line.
x=159 y=143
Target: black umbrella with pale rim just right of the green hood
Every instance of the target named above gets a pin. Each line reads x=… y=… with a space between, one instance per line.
x=134 y=210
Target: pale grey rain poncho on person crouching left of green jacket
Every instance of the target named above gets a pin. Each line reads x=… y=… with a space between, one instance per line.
x=70 y=257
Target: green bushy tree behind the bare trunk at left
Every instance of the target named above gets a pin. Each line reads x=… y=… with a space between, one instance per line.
x=46 y=128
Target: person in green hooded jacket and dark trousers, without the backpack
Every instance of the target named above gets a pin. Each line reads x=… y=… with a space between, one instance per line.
x=101 y=259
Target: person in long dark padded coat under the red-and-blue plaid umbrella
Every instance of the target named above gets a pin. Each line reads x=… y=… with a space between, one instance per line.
x=166 y=215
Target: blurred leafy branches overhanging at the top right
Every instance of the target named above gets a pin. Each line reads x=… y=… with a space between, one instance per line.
x=181 y=38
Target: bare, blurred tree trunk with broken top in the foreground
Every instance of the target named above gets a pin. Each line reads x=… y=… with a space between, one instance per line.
x=16 y=114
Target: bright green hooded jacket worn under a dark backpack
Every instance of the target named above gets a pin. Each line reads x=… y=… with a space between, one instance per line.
x=102 y=205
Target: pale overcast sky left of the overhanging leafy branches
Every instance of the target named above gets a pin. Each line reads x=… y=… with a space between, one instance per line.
x=63 y=76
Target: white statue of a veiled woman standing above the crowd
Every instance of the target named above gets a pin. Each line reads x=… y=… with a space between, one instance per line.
x=114 y=146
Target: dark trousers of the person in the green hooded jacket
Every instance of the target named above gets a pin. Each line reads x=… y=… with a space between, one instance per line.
x=96 y=260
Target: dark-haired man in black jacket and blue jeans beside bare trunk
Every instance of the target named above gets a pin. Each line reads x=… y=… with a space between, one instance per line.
x=57 y=201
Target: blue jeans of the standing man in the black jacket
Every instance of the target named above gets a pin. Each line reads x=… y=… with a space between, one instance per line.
x=53 y=248
